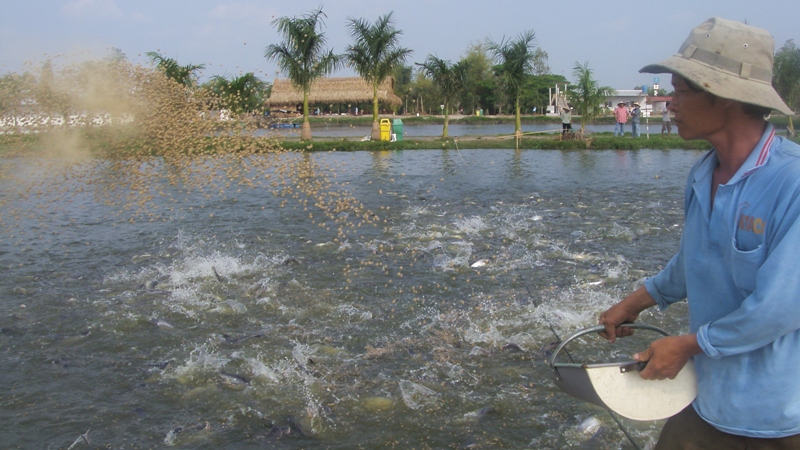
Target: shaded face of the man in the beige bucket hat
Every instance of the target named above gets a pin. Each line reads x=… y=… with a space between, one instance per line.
x=698 y=114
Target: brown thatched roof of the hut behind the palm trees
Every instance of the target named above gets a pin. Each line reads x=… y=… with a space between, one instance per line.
x=331 y=91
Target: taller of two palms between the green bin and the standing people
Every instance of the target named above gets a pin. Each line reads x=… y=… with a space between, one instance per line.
x=515 y=59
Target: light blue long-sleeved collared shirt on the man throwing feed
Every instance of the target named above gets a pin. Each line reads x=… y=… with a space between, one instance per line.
x=738 y=266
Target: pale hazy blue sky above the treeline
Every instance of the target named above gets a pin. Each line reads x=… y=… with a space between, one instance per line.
x=616 y=38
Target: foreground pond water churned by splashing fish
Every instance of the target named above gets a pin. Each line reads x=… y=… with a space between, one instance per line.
x=249 y=320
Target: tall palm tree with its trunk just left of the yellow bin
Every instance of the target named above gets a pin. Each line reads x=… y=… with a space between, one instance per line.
x=374 y=55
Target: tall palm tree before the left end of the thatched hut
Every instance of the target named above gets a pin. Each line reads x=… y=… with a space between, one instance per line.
x=301 y=55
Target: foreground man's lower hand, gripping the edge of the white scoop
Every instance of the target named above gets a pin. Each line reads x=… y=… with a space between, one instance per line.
x=667 y=356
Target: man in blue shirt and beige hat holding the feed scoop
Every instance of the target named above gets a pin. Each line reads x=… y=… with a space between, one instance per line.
x=737 y=262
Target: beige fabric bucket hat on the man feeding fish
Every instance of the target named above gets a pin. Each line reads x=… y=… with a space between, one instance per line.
x=728 y=59
